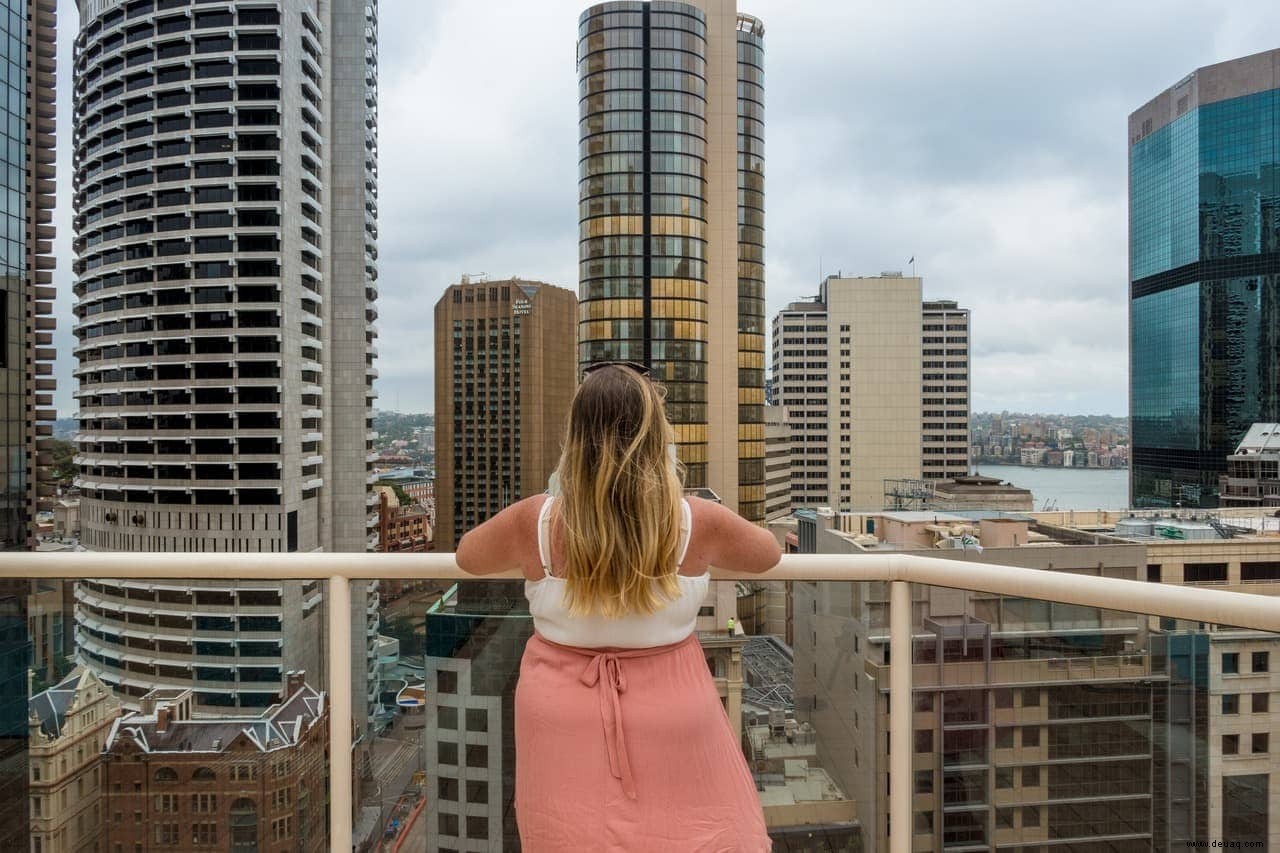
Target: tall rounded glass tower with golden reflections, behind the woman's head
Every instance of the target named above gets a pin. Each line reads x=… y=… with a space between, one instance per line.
x=673 y=223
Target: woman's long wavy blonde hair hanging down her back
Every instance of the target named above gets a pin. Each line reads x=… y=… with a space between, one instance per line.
x=620 y=508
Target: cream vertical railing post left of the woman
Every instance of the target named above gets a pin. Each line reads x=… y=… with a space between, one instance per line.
x=340 y=715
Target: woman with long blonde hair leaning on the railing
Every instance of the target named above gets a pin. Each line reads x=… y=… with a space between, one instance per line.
x=621 y=738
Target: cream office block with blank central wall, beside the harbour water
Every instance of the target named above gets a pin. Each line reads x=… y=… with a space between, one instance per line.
x=876 y=386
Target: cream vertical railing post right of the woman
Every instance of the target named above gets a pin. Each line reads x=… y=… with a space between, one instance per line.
x=900 y=777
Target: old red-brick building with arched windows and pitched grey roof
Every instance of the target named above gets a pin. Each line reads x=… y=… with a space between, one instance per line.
x=175 y=781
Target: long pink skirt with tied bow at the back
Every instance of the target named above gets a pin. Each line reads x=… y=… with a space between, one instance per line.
x=629 y=750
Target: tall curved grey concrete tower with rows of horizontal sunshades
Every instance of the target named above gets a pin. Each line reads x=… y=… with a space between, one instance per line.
x=226 y=217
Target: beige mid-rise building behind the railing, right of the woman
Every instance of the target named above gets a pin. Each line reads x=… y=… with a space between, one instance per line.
x=1034 y=724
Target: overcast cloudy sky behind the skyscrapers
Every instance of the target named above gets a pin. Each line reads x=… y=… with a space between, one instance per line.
x=985 y=139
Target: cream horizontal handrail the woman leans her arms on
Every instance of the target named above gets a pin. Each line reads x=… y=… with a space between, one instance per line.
x=1192 y=604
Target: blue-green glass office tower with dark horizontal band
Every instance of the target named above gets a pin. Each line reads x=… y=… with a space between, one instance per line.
x=1204 y=276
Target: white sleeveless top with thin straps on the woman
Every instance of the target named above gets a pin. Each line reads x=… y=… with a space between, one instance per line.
x=671 y=624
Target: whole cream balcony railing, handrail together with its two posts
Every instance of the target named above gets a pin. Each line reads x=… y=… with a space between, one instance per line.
x=1212 y=606
